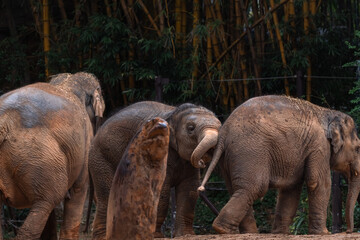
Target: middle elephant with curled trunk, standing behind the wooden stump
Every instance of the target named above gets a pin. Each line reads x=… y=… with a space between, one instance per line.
x=193 y=135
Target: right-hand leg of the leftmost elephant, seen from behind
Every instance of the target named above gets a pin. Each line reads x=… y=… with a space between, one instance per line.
x=73 y=207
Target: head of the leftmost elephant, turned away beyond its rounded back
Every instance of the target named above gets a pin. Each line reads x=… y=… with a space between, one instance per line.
x=87 y=88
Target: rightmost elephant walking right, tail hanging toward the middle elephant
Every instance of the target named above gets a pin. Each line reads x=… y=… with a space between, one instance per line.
x=281 y=142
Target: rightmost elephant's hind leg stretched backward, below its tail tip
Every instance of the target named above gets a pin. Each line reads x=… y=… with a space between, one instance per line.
x=233 y=212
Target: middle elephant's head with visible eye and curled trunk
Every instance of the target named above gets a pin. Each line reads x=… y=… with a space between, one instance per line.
x=194 y=131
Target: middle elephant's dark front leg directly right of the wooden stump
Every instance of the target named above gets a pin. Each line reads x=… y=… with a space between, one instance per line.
x=162 y=210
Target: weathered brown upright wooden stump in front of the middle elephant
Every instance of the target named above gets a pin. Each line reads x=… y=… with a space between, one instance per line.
x=135 y=190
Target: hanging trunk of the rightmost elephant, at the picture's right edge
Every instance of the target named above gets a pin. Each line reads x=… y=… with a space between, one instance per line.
x=353 y=192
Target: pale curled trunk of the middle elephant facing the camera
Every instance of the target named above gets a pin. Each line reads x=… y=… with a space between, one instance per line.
x=207 y=140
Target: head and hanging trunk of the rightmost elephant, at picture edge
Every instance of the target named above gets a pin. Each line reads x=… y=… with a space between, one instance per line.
x=345 y=158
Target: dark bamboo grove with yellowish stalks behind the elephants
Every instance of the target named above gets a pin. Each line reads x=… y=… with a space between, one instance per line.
x=215 y=52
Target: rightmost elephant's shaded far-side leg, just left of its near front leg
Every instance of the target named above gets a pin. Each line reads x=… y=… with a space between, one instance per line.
x=286 y=206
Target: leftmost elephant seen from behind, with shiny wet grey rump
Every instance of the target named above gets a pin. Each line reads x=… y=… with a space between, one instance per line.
x=45 y=134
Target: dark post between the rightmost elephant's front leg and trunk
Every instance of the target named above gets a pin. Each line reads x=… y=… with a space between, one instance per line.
x=336 y=203
